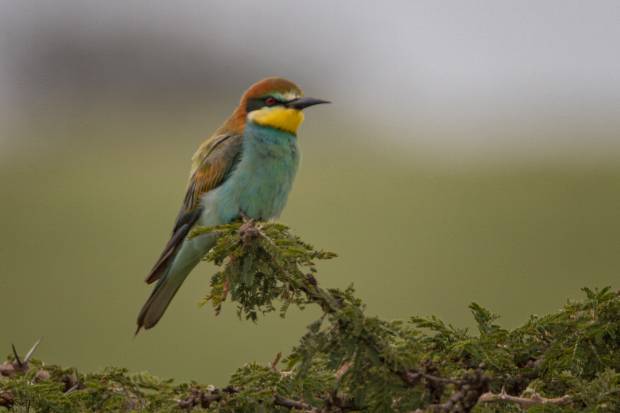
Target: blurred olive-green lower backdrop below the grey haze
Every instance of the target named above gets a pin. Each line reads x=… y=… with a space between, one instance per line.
x=84 y=218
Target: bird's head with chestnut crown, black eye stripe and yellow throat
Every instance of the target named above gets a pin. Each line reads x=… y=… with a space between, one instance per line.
x=276 y=103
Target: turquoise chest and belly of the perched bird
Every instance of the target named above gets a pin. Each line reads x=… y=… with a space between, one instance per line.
x=262 y=180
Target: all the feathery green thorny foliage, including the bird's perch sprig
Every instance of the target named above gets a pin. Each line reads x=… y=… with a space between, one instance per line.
x=568 y=361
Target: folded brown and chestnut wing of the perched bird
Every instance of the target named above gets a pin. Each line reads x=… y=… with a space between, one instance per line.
x=213 y=163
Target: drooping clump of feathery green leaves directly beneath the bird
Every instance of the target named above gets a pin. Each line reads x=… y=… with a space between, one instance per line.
x=264 y=263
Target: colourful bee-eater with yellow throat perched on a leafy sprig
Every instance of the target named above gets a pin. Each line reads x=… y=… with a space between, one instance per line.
x=245 y=169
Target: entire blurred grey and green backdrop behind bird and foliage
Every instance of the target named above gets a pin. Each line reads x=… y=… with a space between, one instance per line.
x=471 y=153
